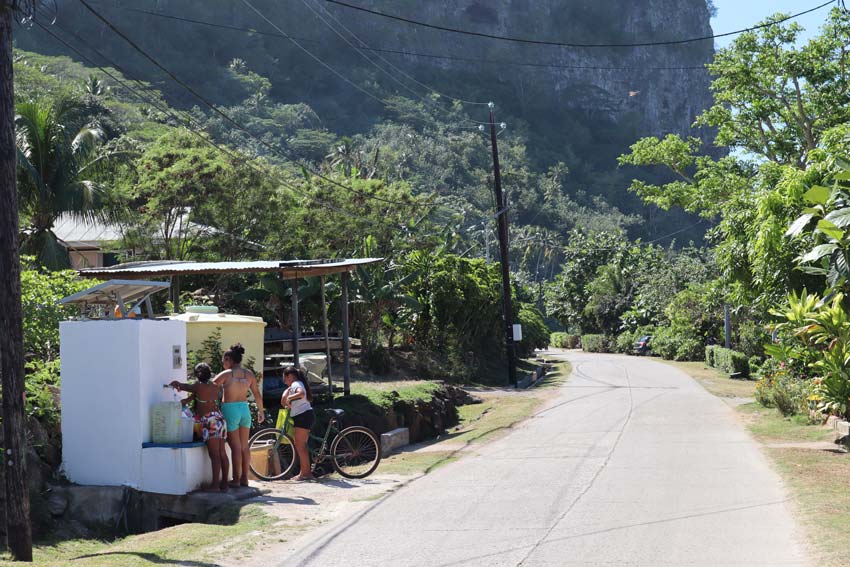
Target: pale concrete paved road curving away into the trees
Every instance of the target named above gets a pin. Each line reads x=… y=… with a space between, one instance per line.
x=632 y=463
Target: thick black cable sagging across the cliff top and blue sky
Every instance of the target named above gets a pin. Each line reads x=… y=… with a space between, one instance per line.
x=564 y=44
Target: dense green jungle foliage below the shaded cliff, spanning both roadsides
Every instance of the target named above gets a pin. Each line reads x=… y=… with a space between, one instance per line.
x=413 y=187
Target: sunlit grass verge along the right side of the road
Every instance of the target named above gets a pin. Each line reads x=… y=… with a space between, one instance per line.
x=816 y=478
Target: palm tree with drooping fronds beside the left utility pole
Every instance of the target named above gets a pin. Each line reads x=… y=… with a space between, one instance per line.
x=55 y=170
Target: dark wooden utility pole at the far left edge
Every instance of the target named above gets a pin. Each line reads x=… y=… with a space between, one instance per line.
x=18 y=531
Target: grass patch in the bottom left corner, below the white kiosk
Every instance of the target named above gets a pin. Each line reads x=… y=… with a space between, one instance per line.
x=185 y=544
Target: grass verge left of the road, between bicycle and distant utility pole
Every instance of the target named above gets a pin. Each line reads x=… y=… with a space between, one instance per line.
x=495 y=416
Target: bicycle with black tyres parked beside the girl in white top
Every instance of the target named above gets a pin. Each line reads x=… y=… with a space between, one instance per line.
x=355 y=452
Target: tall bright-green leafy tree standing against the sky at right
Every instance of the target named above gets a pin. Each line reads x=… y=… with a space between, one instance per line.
x=776 y=104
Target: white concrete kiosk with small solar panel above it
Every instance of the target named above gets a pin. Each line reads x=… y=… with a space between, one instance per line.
x=113 y=372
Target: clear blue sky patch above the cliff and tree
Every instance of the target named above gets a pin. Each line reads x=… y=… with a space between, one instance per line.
x=738 y=14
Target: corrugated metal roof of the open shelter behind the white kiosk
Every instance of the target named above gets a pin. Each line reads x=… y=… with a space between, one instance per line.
x=291 y=268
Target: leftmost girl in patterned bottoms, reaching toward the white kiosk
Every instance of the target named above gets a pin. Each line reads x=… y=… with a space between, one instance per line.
x=214 y=432
